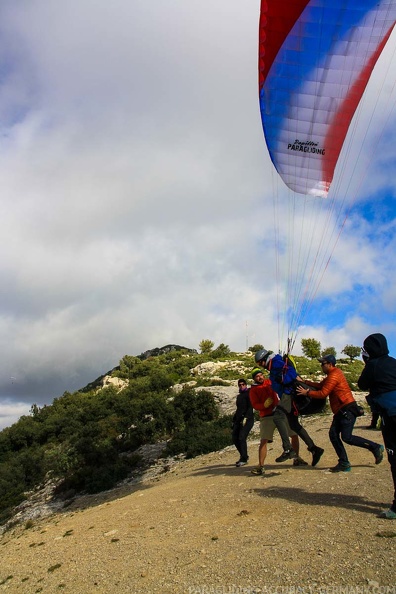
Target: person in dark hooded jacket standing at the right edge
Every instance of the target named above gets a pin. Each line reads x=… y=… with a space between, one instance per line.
x=379 y=378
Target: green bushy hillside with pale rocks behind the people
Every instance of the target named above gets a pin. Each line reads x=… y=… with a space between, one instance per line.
x=92 y=439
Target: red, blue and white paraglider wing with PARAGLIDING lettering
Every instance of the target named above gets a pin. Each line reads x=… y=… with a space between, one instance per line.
x=315 y=60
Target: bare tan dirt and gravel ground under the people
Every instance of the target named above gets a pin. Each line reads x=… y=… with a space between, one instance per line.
x=207 y=526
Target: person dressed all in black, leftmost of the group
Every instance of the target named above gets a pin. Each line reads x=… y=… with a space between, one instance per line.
x=242 y=422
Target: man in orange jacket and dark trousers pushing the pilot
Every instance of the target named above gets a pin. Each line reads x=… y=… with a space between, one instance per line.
x=344 y=408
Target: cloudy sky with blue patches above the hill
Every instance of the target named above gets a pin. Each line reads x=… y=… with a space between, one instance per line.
x=137 y=195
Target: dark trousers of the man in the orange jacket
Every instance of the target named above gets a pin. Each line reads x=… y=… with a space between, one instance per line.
x=341 y=431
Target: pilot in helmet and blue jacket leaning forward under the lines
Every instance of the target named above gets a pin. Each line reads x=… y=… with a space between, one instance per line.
x=283 y=375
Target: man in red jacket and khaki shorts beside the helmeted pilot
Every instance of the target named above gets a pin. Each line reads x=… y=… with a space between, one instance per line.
x=264 y=399
